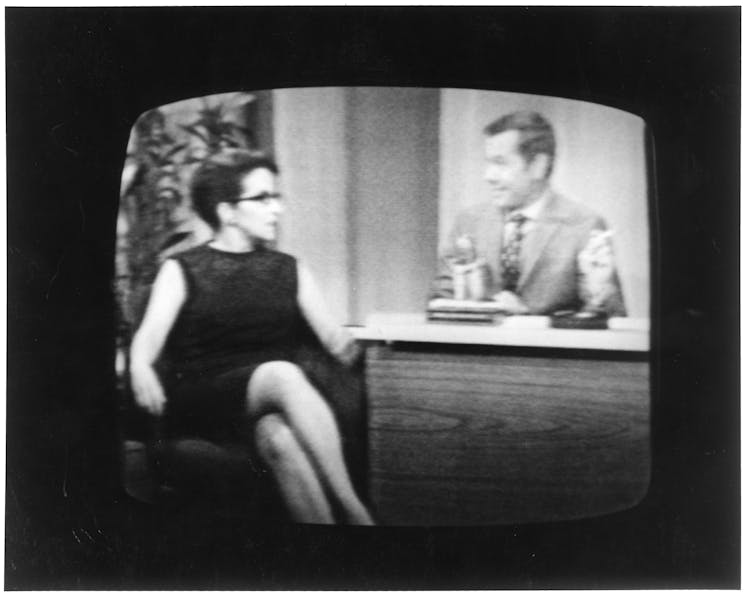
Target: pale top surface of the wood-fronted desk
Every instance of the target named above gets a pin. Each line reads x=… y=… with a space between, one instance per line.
x=623 y=334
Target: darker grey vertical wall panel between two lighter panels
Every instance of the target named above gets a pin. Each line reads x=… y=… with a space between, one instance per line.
x=392 y=140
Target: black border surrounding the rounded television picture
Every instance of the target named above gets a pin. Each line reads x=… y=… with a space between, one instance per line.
x=76 y=81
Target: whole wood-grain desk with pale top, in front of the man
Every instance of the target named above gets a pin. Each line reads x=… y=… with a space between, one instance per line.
x=467 y=433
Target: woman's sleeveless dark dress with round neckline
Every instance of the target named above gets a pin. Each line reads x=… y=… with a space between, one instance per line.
x=241 y=310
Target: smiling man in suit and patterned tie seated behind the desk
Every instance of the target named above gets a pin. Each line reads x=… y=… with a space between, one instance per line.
x=535 y=251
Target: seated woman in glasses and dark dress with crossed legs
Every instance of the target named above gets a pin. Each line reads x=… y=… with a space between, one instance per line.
x=226 y=312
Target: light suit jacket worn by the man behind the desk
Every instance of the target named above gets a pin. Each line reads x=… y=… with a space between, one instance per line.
x=549 y=279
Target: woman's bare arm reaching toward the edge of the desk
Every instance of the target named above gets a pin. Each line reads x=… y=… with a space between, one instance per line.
x=338 y=341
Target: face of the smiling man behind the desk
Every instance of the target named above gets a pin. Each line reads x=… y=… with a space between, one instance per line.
x=514 y=182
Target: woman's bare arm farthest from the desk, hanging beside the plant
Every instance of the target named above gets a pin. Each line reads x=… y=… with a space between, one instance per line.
x=167 y=297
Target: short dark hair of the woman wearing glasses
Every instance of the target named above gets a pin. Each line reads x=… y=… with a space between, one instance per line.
x=218 y=179
